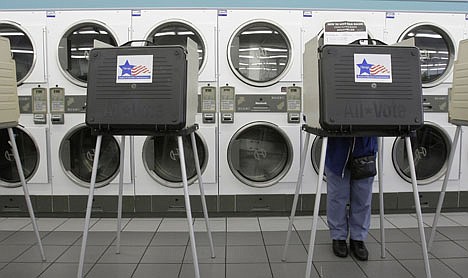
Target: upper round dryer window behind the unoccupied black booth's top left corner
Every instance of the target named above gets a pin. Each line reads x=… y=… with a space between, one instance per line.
x=73 y=49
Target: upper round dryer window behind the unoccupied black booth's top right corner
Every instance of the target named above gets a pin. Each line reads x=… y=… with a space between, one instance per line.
x=176 y=33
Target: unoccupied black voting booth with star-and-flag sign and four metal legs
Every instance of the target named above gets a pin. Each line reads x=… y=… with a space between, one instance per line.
x=144 y=90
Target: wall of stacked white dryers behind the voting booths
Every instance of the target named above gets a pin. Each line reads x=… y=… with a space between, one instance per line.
x=249 y=138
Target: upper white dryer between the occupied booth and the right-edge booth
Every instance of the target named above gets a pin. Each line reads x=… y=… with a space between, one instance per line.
x=437 y=36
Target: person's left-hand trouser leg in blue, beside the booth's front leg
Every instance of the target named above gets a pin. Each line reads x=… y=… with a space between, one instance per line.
x=338 y=190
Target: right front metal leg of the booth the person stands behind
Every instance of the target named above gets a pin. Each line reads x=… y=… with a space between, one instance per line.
x=409 y=152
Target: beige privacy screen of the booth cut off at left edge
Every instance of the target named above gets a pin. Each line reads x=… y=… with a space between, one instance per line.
x=9 y=109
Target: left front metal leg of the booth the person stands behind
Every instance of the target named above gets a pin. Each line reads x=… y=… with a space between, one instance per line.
x=318 y=194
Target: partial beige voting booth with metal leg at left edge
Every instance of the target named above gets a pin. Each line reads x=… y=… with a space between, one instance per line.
x=9 y=116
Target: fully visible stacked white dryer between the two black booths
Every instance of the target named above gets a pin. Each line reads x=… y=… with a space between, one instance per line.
x=260 y=68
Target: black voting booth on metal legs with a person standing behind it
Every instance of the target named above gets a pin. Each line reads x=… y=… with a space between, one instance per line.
x=365 y=88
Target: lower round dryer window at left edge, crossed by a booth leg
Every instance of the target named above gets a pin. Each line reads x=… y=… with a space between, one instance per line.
x=28 y=152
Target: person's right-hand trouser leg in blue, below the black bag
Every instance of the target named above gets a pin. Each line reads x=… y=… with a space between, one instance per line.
x=360 y=208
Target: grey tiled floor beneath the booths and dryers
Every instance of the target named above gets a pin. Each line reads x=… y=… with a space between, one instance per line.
x=245 y=247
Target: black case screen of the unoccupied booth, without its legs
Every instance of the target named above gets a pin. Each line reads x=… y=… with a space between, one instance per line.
x=142 y=90
